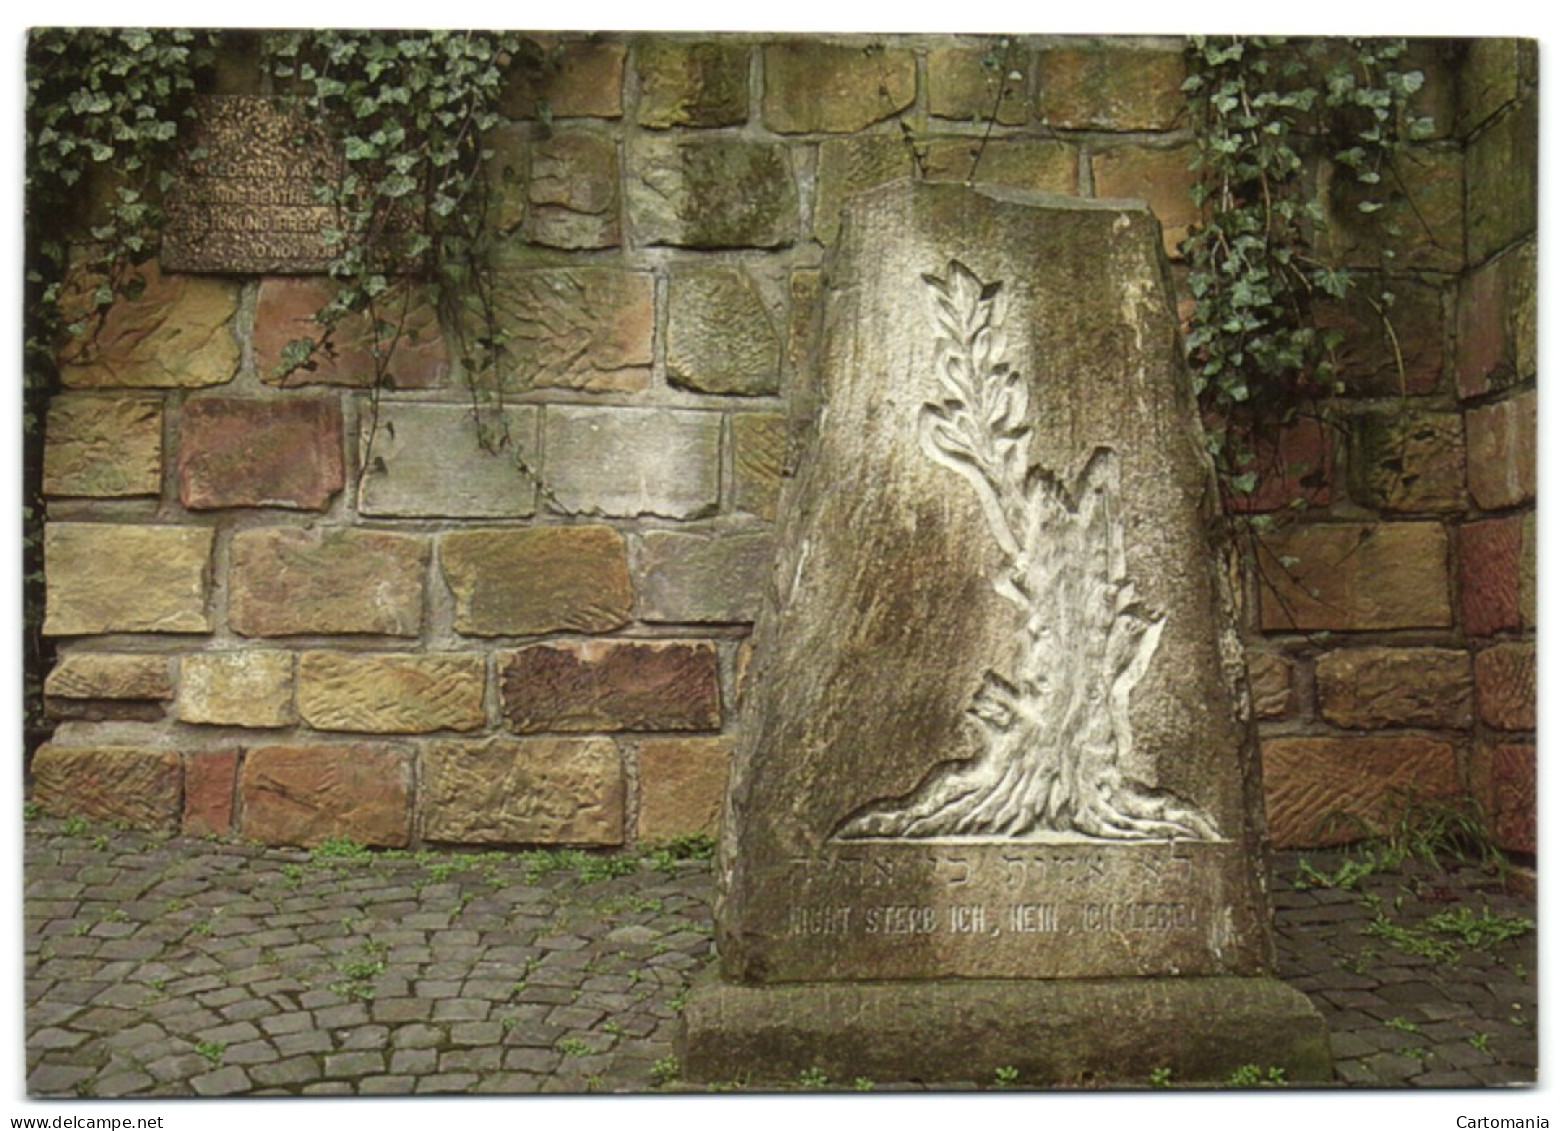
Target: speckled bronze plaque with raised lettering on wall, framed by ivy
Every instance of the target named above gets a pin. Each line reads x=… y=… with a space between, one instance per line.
x=246 y=200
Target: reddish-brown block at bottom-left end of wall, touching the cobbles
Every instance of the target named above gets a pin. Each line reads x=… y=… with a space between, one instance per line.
x=133 y=785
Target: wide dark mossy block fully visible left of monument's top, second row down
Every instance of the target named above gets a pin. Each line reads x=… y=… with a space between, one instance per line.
x=714 y=194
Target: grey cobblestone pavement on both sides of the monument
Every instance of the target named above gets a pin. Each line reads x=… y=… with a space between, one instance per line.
x=177 y=966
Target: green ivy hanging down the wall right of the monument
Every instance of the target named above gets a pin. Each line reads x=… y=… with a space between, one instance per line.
x=1264 y=113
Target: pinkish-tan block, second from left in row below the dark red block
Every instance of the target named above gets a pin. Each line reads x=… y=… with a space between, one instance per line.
x=289 y=583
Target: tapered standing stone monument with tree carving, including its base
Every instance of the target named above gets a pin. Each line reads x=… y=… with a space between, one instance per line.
x=996 y=799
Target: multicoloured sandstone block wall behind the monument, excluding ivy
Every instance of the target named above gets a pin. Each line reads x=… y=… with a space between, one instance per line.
x=289 y=614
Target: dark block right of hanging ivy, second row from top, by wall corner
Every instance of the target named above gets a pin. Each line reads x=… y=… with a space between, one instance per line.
x=1422 y=225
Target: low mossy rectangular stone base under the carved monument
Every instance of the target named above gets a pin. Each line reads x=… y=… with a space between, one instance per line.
x=1055 y=1033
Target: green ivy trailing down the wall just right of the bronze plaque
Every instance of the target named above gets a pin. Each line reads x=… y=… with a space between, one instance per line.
x=411 y=113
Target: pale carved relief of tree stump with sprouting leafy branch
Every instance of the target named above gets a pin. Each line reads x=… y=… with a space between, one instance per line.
x=1054 y=729
